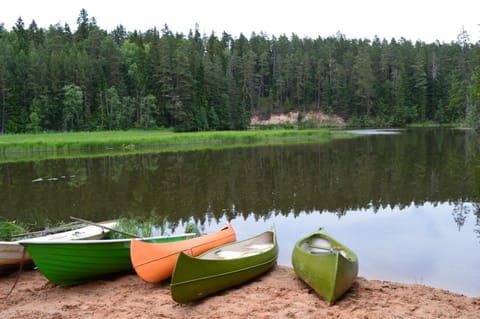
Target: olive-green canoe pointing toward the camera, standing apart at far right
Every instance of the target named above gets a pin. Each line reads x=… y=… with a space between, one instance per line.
x=324 y=264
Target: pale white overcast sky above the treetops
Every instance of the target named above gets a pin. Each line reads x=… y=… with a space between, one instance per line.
x=413 y=20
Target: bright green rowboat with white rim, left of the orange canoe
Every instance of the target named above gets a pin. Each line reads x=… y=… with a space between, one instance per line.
x=75 y=262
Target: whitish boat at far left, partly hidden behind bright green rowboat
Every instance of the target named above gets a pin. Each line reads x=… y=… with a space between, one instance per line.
x=12 y=253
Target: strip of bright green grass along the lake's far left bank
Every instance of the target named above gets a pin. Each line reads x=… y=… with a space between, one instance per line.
x=21 y=147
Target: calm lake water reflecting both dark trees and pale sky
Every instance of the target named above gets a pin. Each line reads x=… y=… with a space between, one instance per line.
x=407 y=202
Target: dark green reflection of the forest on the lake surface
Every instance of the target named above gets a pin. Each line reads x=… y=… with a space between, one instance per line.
x=368 y=172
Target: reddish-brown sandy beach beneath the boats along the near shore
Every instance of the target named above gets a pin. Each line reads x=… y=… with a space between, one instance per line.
x=277 y=294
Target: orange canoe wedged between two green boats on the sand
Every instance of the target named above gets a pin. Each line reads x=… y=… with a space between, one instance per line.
x=154 y=262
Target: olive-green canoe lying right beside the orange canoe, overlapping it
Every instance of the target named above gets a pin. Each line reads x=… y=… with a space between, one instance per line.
x=223 y=267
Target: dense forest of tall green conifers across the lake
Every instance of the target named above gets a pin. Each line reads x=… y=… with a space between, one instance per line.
x=90 y=79
